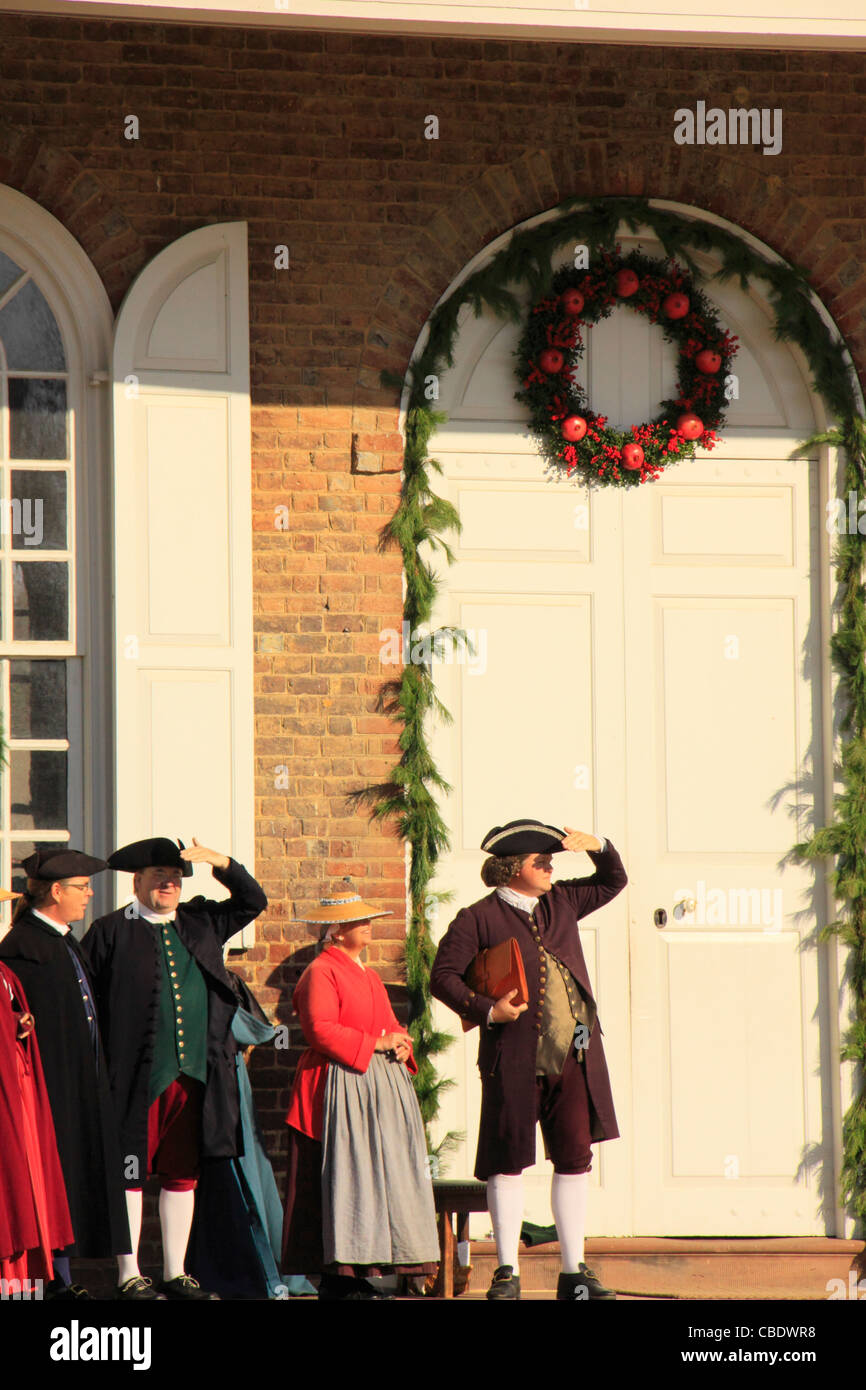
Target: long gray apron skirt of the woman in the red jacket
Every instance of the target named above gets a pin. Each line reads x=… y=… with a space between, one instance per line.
x=376 y=1188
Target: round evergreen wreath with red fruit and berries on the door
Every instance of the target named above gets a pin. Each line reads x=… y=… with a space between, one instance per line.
x=569 y=433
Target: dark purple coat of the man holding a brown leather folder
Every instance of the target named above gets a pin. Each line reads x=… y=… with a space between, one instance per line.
x=507 y=1052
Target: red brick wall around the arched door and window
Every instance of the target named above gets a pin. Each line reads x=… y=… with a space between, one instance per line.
x=318 y=141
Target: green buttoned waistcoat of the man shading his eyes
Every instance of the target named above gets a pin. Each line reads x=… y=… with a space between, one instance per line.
x=181 y=1040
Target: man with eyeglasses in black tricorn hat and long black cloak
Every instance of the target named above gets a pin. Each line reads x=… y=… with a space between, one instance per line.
x=48 y=960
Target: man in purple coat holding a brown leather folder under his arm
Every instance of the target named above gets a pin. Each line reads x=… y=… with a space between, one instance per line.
x=543 y=1063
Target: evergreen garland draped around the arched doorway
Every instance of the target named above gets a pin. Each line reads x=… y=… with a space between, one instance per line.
x=423 y=518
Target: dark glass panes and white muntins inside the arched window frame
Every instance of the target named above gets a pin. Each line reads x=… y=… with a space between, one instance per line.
x=41 y=797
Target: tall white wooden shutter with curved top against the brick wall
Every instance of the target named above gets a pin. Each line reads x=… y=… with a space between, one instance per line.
x=183 y=525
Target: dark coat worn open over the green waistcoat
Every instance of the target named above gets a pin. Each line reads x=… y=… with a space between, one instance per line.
x=126 y=963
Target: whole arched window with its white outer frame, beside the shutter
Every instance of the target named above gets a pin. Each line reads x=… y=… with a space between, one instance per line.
x=55 y=543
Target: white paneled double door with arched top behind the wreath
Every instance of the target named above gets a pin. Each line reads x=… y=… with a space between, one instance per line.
x=665 y=647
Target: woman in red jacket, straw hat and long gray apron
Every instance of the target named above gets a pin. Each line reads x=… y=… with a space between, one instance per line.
x=359 y=1199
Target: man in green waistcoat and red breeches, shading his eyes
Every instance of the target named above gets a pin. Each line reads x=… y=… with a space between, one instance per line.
x=168 y=1004
